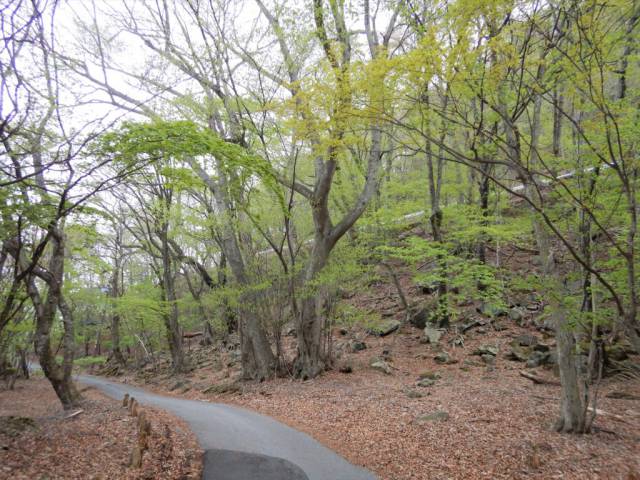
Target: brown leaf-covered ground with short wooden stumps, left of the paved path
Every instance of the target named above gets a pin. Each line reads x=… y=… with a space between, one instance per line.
x=39 y=441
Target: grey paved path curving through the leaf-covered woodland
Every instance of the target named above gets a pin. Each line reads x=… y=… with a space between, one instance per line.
x=244 y=445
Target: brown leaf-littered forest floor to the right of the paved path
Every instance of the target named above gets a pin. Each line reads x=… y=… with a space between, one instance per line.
x=489 y=421
